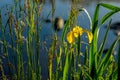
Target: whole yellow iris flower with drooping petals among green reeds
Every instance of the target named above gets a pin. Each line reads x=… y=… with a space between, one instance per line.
x=78 y=31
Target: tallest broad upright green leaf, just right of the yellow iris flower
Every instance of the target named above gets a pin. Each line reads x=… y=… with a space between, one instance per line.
x=93 y=46
